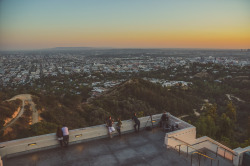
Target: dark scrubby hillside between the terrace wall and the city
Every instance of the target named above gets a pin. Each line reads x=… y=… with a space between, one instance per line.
x=217 y=116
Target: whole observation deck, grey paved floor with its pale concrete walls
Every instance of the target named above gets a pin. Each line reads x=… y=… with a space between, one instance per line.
x=91 y=146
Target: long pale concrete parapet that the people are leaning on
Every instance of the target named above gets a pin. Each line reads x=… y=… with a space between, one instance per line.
x=77 y=135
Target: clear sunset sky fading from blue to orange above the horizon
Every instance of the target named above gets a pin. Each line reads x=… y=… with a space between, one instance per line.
x=36 y=24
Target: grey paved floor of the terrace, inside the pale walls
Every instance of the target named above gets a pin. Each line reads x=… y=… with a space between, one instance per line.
x=144 y=148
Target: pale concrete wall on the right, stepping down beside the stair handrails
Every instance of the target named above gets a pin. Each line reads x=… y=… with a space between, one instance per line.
x=185 y=138
